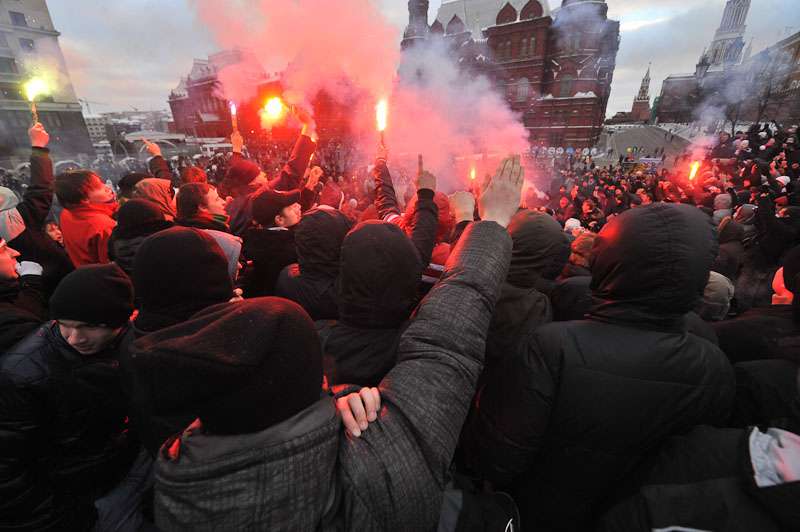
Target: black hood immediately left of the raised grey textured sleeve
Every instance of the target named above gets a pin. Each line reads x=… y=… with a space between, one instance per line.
x=380 y=273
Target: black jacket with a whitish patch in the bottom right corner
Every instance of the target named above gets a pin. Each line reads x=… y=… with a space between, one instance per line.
x=716 y=479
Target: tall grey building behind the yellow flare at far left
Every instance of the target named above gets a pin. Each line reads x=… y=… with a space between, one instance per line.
x=28 y=38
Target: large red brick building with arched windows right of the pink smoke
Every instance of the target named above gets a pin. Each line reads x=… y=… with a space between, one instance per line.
x=555 y=68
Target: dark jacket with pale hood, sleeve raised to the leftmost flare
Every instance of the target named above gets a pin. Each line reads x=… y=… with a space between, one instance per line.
x=22 y=223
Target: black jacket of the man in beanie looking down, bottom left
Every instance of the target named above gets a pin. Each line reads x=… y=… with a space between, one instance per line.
x=63 y=433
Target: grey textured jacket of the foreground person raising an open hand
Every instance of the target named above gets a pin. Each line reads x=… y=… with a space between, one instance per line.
x=306 y=474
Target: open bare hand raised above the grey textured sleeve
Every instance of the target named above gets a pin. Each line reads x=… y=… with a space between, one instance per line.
x=501 y=196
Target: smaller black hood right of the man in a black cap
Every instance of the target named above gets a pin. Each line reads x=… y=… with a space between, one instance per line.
x=318 y=238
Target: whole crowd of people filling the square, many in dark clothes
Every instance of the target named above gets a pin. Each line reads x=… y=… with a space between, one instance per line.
x=247 y=344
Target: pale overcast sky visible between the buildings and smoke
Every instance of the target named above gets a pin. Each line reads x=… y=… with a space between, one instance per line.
x=131 y=53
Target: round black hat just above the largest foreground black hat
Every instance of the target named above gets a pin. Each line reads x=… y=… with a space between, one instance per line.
x=178 y=272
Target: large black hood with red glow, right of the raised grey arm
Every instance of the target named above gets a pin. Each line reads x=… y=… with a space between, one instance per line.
x=651 y=265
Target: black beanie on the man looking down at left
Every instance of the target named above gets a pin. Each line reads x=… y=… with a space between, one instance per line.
x=100 y=294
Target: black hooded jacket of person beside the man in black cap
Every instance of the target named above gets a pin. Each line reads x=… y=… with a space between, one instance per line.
x=311 y=282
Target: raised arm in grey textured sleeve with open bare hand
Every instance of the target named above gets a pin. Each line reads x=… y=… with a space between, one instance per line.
x=440 y=356
